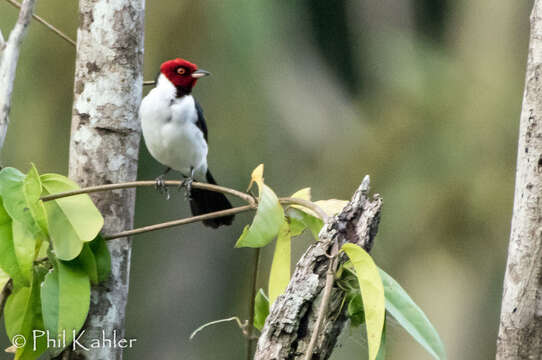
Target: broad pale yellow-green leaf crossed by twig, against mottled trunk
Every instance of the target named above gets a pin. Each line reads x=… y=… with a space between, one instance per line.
x=73 y=220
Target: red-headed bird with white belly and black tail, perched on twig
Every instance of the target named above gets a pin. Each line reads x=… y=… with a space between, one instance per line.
x=175 y=133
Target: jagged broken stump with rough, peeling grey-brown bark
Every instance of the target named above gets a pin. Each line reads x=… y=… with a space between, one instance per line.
x=289 y=326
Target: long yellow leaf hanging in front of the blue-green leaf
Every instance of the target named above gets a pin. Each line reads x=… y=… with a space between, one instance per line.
x=372 y=294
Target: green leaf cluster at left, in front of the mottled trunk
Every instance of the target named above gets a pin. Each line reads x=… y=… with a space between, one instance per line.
x=52 y=252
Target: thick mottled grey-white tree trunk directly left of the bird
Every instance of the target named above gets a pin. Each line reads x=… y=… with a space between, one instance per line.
x=104 y=143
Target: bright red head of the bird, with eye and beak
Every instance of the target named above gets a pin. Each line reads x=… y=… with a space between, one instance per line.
x=182 y=73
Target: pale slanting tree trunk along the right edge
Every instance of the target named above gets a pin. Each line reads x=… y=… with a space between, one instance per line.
x=520 y=332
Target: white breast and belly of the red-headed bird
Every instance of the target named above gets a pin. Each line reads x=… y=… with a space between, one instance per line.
x=170 y=131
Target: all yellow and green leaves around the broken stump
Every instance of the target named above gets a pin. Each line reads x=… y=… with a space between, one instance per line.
x=369 y=290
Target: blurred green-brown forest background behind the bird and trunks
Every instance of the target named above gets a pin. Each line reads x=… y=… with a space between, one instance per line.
x=423 y=95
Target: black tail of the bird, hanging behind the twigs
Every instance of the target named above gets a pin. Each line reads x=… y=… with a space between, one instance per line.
x=204 y=201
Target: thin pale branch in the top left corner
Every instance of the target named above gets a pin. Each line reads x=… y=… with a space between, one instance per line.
x=9 y=56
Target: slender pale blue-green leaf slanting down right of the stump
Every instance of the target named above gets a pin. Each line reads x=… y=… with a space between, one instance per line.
x=411 y=317
